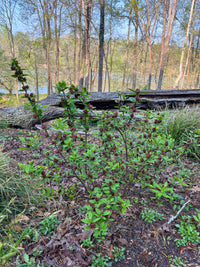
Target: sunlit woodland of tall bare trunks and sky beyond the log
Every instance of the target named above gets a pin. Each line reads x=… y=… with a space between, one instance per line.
x=105 y=45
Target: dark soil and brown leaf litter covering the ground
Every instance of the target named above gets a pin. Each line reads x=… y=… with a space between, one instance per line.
x=146 y=243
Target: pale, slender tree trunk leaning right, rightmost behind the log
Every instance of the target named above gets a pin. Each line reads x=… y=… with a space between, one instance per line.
x=184 y=47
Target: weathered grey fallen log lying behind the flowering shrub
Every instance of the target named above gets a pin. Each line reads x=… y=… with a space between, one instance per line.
x=20 y=117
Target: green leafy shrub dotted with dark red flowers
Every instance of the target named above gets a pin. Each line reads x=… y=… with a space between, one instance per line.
x=104 y=169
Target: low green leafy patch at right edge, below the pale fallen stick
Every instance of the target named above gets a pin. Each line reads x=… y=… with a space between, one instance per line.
x=188 y=232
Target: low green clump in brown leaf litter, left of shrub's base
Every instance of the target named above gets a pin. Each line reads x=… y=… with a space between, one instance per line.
x=47 y=226
